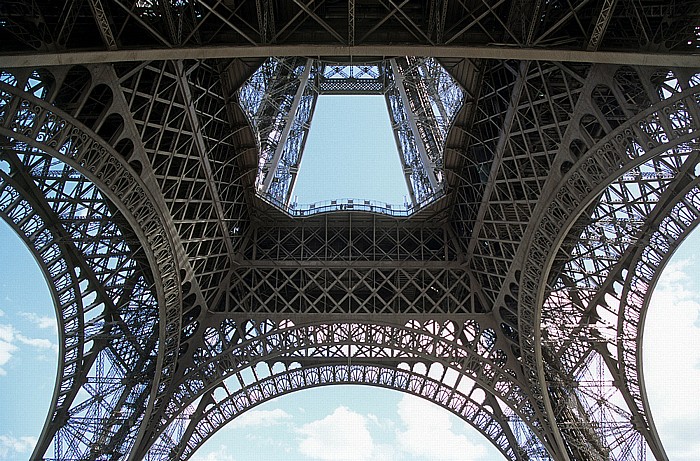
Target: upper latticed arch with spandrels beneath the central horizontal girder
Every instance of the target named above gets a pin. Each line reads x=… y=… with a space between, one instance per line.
x=468 y=350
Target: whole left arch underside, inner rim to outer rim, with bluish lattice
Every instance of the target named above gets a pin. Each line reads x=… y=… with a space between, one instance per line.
x=103 y=283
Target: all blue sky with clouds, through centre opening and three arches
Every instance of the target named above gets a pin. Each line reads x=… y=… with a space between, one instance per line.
x=345 y=422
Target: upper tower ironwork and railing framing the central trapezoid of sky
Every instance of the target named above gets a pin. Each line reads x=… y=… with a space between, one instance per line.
x=421 y=97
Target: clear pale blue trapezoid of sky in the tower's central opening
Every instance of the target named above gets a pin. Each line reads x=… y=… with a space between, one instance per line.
x=350 y=153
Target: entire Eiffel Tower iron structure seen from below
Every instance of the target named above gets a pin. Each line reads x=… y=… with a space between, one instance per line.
x=149 y=148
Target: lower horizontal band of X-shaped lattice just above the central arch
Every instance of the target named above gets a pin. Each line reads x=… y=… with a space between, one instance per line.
x=349 y=291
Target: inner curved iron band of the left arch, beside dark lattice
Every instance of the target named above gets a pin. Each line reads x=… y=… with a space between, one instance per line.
x=32 y=121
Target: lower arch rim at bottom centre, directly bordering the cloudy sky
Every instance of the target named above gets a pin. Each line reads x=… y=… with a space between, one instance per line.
x=490 y=417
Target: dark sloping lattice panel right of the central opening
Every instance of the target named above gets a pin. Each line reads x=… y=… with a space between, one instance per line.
x=544 y=99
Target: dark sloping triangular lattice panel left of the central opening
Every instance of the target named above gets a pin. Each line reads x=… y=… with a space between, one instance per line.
x=181 y=119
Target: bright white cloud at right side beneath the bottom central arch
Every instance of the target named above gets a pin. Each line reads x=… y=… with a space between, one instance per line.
x=429 y=433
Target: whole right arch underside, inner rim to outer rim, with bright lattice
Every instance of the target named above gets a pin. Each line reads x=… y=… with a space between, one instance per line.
x=640 y=189
